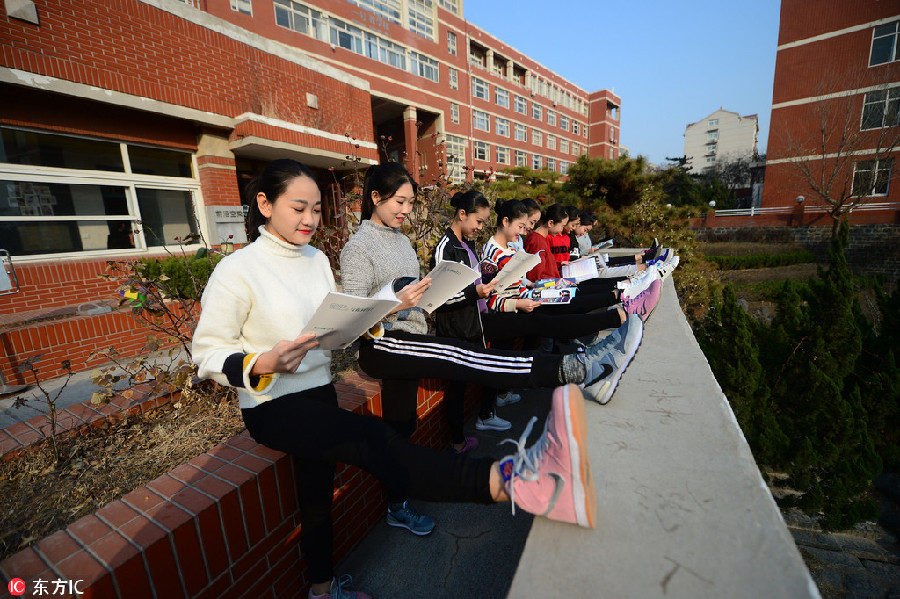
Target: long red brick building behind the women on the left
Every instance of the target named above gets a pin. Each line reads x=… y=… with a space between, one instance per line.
x=129 y=123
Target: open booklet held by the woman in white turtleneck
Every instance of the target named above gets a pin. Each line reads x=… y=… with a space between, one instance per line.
x=342 y=318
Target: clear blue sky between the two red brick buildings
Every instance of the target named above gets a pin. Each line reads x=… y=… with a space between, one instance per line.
x=672 y=63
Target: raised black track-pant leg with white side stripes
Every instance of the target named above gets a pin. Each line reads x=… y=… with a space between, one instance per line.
x=410 y=356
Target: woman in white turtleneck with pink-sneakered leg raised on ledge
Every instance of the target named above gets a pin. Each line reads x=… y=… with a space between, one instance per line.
x=256 y=303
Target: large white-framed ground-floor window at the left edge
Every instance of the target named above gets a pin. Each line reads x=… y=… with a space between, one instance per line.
x=72 y=210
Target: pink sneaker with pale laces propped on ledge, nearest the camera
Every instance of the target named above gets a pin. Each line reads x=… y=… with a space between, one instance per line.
x=552 y=478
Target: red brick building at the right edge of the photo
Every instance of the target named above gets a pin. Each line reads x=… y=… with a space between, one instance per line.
x=835 y=102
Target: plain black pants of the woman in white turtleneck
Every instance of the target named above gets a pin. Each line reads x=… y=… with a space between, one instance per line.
x=312 y=428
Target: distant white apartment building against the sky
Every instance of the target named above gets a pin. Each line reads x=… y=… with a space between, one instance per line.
x=723 y=135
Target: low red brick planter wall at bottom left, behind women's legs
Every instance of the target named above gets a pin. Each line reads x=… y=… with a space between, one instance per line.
x=225 y=524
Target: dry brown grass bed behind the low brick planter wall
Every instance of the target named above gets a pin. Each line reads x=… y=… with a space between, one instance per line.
x=38 y=497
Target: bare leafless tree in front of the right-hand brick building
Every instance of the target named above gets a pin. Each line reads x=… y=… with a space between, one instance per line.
x=843 y=150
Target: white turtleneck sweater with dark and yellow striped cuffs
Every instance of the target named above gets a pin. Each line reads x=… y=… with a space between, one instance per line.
x=263 y=293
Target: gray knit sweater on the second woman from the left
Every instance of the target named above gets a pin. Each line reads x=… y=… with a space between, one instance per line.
x=372 y=258
